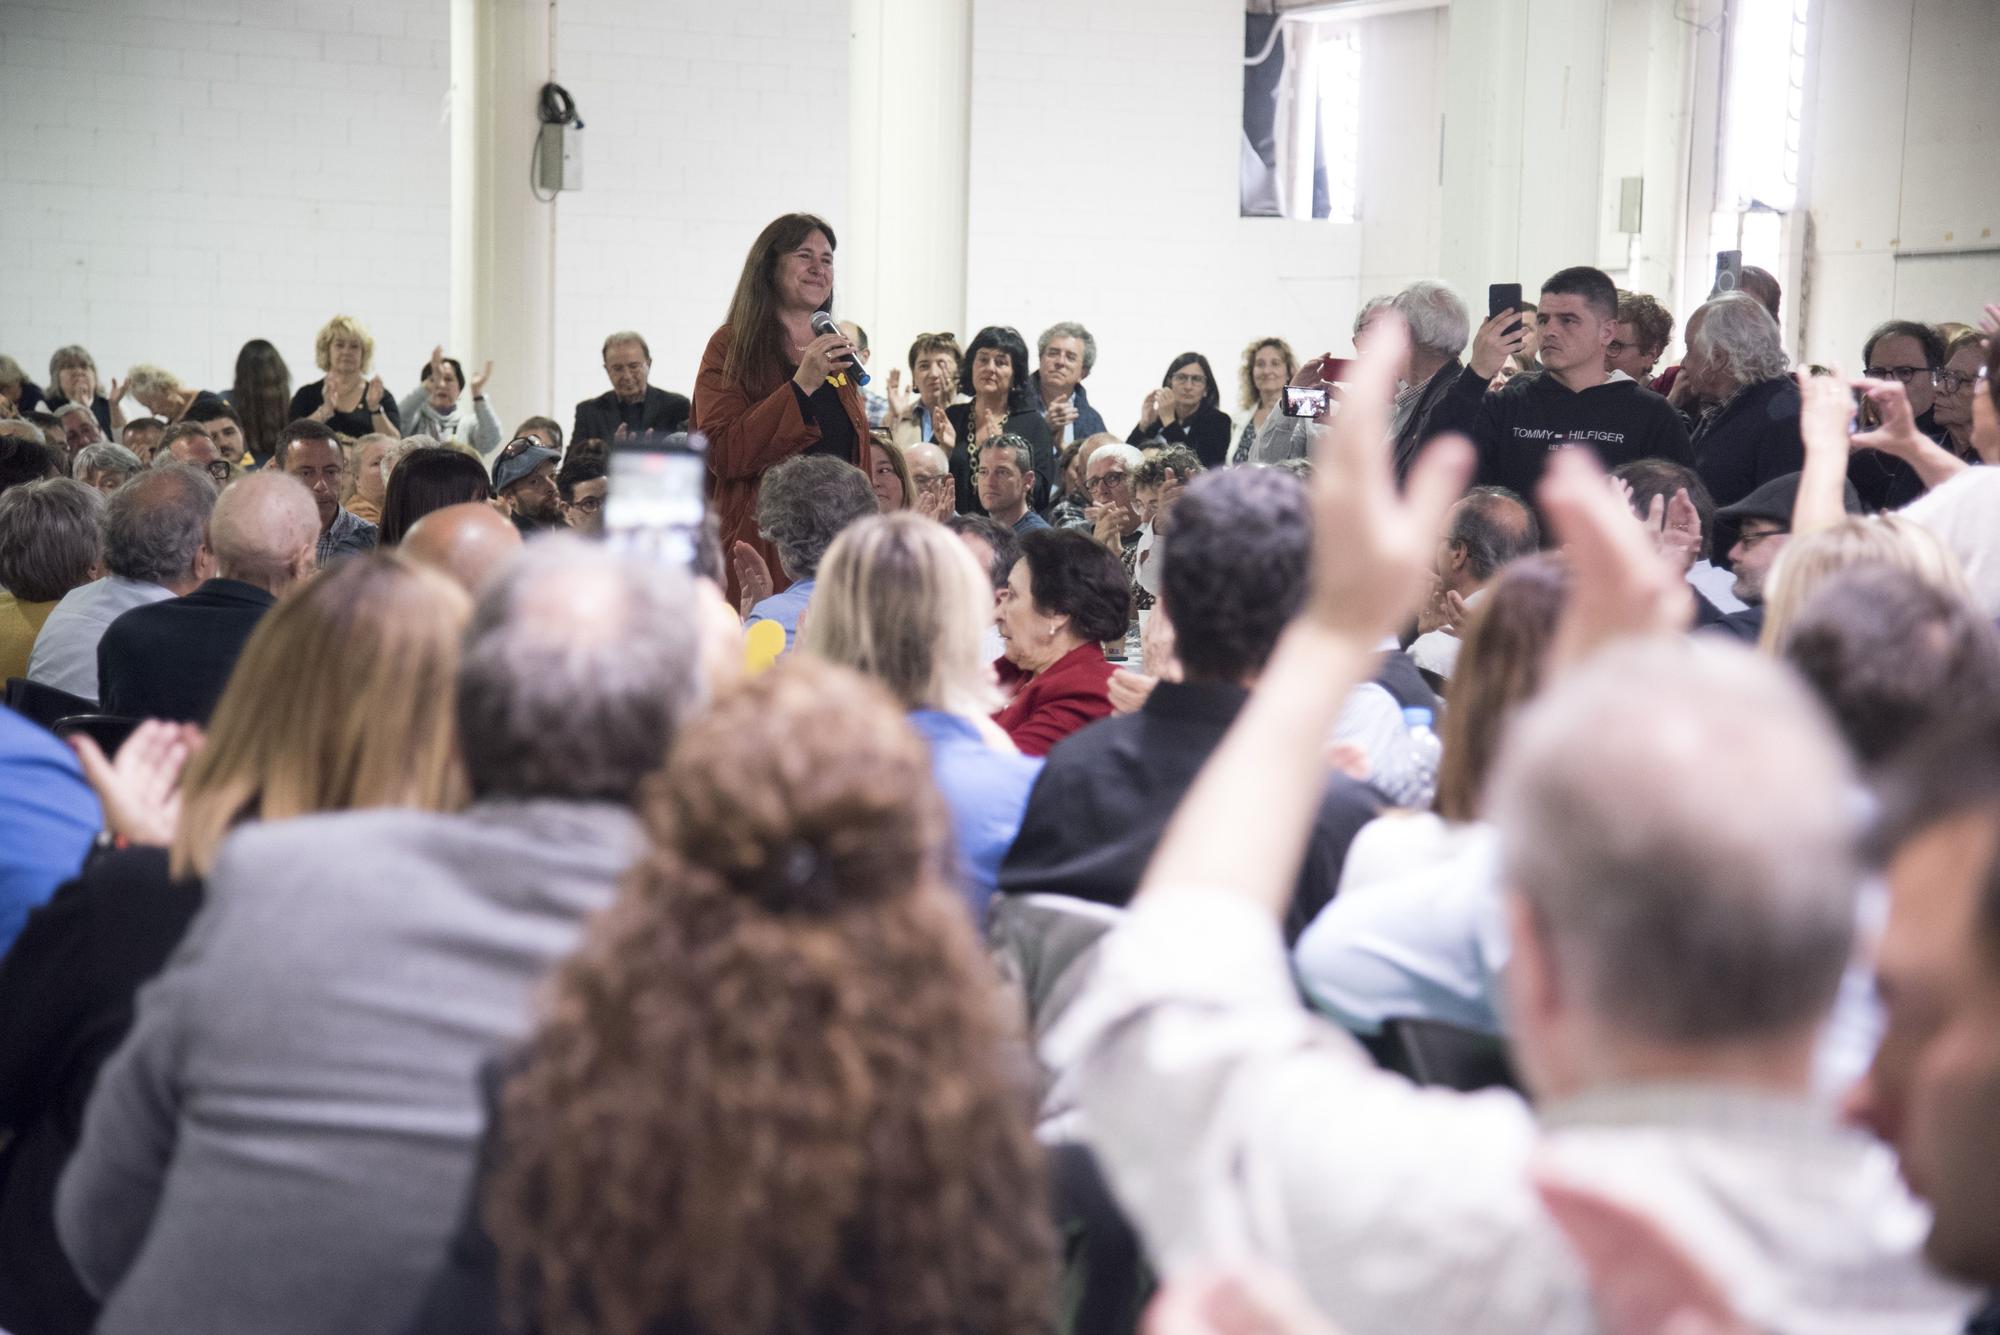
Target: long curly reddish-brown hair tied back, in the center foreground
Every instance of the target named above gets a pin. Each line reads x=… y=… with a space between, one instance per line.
x=773 y=1088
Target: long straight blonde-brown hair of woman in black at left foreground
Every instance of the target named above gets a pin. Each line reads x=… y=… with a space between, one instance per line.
x=361 y=667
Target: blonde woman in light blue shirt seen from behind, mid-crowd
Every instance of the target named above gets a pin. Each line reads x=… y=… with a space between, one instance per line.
x=903 y=601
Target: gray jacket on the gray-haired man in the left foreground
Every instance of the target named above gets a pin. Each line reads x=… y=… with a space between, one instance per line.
x=287 y=1136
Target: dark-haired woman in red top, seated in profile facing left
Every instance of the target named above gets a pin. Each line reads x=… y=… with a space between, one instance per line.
x=1065 y=599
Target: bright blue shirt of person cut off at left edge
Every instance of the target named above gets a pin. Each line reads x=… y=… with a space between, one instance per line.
x=49 y=816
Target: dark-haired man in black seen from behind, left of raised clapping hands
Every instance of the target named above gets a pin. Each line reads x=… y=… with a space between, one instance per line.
x=1235 y=575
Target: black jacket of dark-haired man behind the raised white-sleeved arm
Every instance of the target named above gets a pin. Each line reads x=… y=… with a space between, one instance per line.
x=1107 y=792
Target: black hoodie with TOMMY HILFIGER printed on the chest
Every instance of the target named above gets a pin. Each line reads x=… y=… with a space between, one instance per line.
x=1515 y=429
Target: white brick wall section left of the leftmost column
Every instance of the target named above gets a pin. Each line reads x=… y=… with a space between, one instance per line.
x=187 y=175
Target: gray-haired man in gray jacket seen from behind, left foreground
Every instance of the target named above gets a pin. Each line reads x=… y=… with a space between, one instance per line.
x=287 y=1134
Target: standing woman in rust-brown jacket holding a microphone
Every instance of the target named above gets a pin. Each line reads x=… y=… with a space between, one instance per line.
x=773 y=389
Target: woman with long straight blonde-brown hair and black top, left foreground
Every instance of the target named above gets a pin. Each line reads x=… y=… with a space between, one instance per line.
x=361 y=668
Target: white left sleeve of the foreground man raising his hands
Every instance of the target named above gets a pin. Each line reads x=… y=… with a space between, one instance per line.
x=1231 y=1122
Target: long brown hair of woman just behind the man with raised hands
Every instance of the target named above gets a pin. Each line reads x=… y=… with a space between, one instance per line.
x=1499 y=670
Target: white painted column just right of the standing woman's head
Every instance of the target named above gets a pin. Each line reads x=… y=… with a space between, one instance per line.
x=901 y=269
